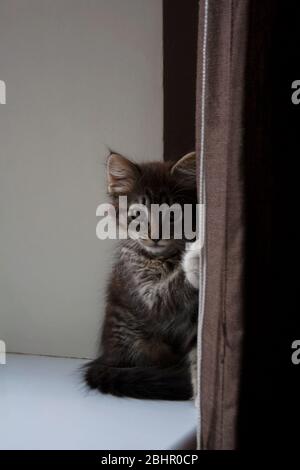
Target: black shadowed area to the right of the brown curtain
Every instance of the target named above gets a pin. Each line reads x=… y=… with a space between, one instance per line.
x=270 y=393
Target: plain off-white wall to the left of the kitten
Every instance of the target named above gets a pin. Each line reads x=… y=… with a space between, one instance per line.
x=80 y=75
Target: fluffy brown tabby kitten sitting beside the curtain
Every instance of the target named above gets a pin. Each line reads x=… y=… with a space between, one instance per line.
x=150 y=327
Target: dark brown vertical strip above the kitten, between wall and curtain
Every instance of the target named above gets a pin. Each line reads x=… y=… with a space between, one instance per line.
x=180 y=27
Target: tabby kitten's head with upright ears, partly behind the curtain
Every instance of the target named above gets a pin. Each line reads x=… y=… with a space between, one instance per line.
x=155 y=183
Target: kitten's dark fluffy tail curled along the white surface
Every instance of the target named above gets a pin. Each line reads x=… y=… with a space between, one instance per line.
x=159 y=383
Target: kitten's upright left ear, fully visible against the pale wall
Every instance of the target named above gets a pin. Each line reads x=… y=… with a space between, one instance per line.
x=121 y=174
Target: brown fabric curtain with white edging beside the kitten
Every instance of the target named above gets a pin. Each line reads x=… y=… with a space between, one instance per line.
x=222 y=44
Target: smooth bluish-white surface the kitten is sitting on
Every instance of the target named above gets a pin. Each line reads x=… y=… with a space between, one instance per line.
x=45 y=406
